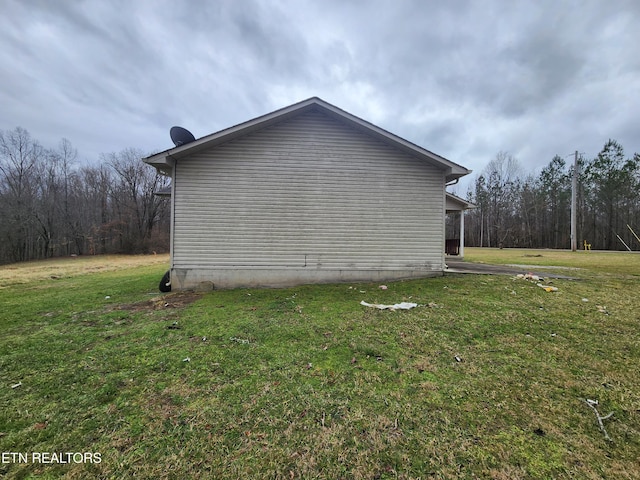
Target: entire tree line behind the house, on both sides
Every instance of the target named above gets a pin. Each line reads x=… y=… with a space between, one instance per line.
x=52 y=206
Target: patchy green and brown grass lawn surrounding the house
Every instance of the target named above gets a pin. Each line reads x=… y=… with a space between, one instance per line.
x=486 y=378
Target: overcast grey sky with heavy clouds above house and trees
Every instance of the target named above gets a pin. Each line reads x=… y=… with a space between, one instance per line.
x=464 y=79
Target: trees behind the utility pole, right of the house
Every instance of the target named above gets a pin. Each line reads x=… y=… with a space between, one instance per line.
x=514 y=209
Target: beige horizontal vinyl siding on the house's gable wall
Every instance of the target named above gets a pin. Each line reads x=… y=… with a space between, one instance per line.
x=310 y=192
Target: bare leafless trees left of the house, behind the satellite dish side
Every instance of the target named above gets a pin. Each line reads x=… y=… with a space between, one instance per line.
x=50 y=206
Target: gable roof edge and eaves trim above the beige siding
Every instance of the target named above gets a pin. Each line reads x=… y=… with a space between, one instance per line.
x=165 y=160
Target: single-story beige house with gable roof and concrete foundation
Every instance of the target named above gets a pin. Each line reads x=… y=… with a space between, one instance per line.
x=305 y=194
